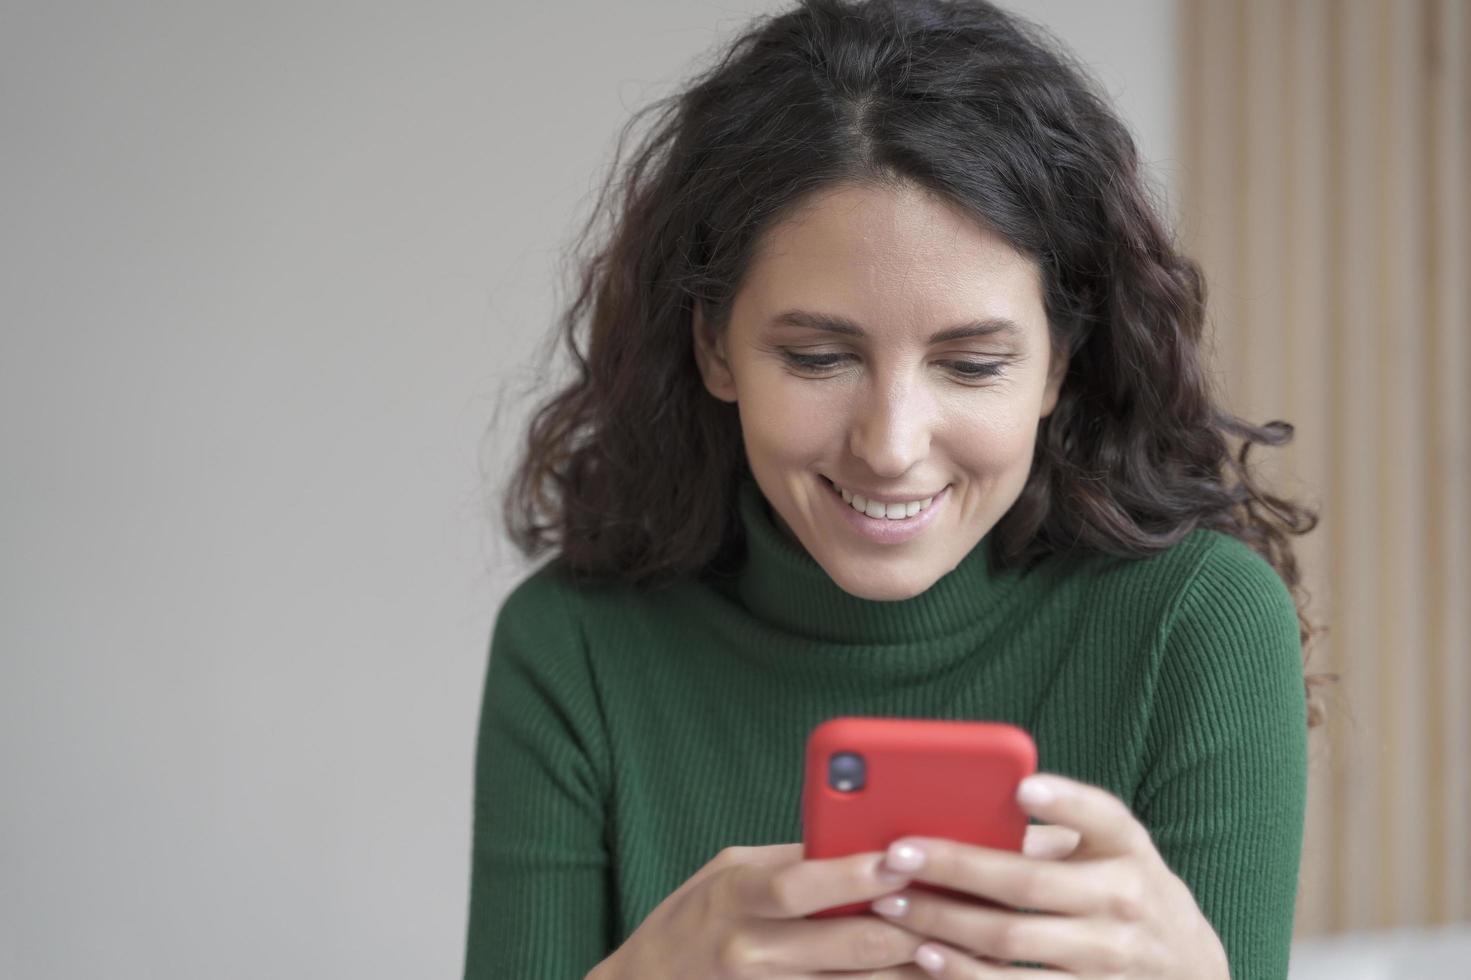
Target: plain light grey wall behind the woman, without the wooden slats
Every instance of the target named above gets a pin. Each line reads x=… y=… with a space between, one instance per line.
x=263 y=271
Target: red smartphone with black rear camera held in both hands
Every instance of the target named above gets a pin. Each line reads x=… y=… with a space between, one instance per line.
x=872 y=781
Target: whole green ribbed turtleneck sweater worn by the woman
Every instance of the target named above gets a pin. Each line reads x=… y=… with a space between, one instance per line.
x=627 y=736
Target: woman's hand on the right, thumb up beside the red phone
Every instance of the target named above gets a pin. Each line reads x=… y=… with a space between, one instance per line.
x=1110 y=909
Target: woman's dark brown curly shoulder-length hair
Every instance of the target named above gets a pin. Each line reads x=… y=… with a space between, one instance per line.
x=630 y=470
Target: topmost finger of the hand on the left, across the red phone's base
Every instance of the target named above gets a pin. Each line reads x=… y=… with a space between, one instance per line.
x=813 y=885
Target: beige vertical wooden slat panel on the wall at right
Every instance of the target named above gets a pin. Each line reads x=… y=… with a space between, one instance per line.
x=1329 y=198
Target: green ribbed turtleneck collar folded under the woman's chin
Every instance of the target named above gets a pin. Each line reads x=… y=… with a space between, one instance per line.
x=785 y=586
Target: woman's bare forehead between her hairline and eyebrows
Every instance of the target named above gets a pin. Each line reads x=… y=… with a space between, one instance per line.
x=892 y=260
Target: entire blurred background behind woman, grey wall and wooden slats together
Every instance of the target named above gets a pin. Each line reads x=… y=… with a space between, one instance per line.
x=271 y=283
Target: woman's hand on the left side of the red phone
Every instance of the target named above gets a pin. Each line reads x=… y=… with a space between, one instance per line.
x=744 y=915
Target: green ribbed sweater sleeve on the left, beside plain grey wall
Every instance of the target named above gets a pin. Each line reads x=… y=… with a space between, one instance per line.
x=539 y=898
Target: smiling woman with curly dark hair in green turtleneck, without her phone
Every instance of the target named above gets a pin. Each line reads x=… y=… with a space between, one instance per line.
x=891 y=402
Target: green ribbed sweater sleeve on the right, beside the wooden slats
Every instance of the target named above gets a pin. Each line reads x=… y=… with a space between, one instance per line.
x=1225 y=787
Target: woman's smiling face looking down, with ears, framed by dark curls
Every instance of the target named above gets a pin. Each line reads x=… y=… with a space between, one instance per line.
x=886 y=404
